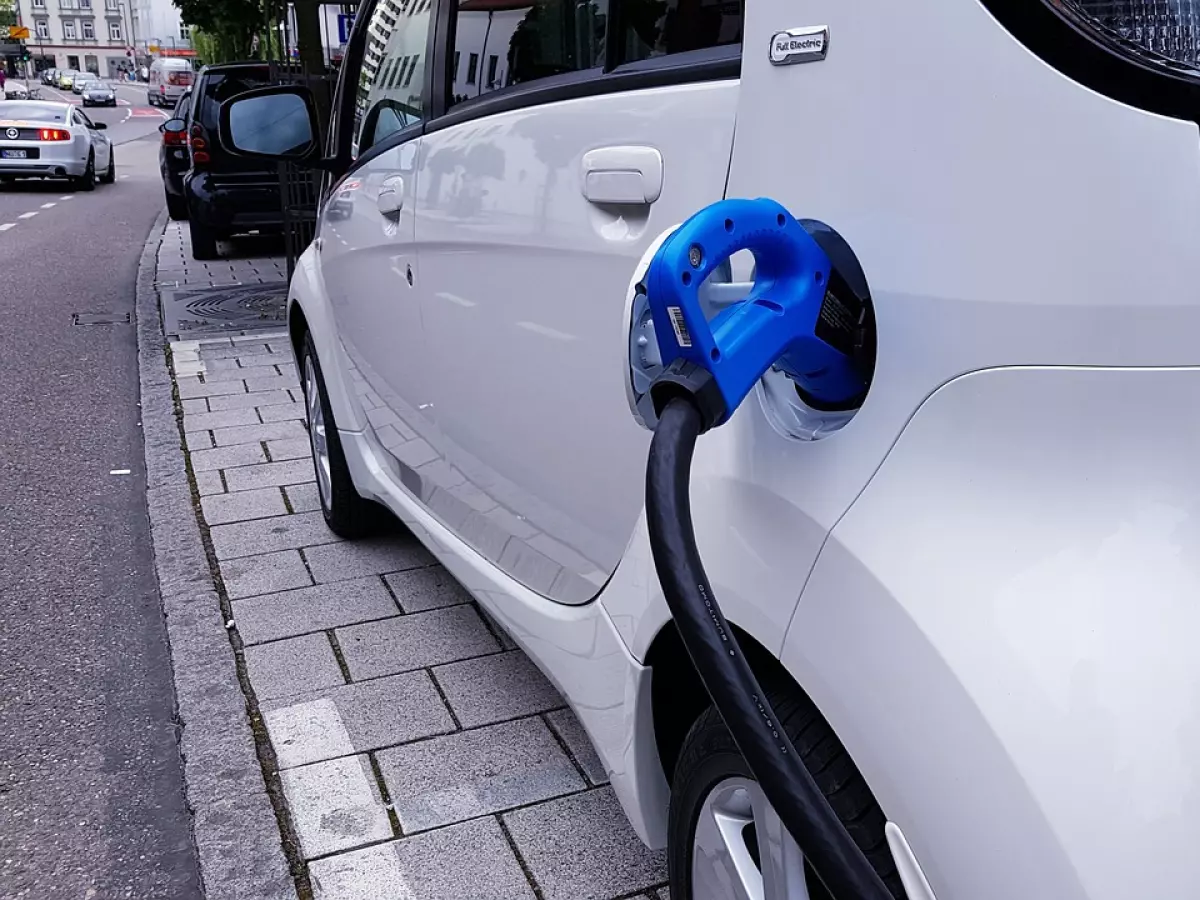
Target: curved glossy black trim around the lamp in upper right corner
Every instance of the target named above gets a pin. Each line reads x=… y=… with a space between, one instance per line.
x=1067 y=41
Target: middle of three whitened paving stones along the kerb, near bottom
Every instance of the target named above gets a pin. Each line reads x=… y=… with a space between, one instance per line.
x=335 y=806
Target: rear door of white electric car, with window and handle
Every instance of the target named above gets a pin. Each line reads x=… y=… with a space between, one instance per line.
x=556 y=166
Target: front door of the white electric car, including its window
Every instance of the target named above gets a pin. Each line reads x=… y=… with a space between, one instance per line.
x=368 y=226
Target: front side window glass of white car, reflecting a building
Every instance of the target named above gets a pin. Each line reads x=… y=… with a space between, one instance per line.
x=392 y=83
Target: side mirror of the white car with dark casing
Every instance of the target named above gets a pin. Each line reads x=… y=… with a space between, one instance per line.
x=277 y=123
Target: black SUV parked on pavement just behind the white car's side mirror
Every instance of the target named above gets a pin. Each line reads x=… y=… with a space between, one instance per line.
x=225 y=194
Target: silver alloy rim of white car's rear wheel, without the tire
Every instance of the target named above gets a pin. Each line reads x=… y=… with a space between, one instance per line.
x=741 y=849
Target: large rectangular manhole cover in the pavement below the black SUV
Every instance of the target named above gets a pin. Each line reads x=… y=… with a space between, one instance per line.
x=233 y=309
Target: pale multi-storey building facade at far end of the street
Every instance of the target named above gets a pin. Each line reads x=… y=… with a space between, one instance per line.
x=109 y=38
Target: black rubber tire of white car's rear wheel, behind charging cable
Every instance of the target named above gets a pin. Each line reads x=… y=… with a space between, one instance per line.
x=710 y=757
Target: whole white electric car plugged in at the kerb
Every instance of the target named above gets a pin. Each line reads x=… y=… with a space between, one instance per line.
x=976 y=598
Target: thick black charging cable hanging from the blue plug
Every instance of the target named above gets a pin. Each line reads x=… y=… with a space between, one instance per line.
x=789 y=787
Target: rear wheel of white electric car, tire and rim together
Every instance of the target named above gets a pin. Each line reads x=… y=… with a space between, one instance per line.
x=721 y=823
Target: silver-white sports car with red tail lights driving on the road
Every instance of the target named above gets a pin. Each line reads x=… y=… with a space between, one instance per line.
x=44 y=140
